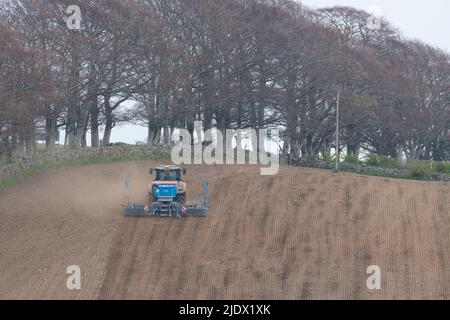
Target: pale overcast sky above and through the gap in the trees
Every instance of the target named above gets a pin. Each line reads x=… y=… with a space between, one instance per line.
x=428 y=21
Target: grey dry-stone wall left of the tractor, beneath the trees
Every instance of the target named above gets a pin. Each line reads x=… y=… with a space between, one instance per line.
x=23 y=163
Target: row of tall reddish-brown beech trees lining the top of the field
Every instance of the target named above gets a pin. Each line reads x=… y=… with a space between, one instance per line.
x=233 y=64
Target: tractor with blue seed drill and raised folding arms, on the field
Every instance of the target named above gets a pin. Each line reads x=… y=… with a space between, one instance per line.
x=167 y=196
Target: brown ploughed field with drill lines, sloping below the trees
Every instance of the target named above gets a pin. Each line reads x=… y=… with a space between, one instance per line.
x=301 y=234
